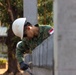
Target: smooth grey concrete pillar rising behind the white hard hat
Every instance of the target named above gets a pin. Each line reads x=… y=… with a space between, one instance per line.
x=30 y=11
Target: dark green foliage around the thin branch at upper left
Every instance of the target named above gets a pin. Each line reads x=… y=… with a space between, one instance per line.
x=17 y=9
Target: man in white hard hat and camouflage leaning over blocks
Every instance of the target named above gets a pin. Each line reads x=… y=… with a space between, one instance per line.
x=31 y=36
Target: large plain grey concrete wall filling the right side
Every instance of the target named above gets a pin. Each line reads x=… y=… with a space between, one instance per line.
x=65 y=37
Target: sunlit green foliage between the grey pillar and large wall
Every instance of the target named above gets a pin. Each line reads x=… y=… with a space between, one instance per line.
x=45 y=12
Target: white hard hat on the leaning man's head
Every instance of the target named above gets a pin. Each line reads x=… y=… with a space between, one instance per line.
x=18 y=27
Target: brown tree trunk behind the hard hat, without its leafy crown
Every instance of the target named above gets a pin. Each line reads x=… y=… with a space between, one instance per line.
x=12 y=61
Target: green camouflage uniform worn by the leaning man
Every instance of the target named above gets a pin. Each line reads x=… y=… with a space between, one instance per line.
x=32 y=43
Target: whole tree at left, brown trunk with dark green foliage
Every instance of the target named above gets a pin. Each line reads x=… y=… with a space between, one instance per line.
x=9 y=11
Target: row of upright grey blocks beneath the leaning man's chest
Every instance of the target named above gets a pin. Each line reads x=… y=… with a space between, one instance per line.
x=42 y=55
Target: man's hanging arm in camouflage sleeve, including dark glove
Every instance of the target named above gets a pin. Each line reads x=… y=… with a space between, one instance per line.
x=19 y=54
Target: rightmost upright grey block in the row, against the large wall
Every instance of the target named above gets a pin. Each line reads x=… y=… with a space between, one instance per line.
x=50 y=51
